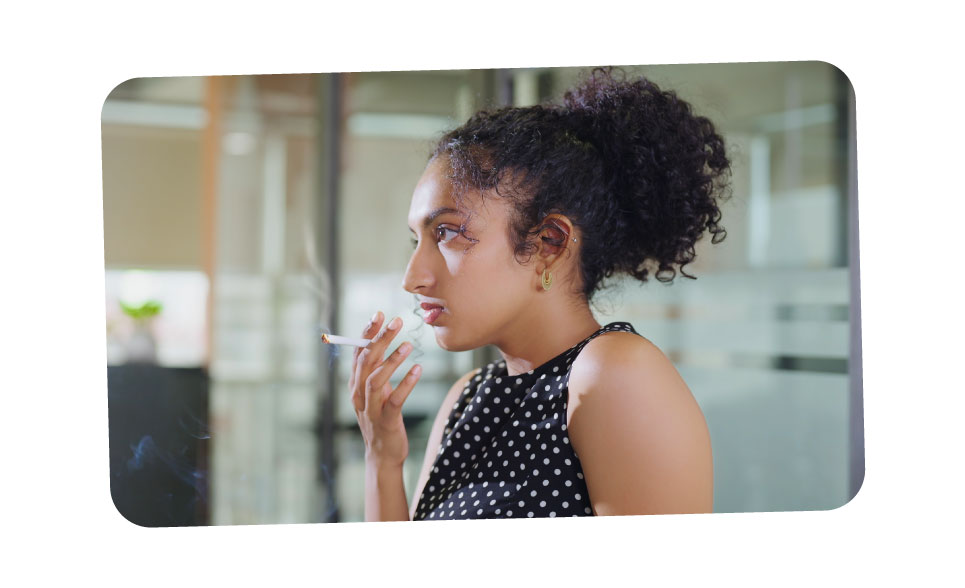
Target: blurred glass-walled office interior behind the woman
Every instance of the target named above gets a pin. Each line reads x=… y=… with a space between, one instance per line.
x=244 y=214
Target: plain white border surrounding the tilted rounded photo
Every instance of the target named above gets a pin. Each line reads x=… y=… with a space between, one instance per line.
x=60 y=62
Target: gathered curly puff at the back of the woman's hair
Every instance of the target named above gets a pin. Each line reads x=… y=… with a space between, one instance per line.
x=664 y=164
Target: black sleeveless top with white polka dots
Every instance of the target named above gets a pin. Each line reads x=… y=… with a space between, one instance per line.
x=505 y=451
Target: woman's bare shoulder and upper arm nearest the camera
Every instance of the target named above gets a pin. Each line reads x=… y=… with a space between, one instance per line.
x=640 y=435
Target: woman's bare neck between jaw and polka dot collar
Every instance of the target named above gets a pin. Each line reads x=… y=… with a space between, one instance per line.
x=543 y=334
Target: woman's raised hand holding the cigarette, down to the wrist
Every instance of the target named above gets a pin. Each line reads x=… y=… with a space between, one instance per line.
x=378 y=407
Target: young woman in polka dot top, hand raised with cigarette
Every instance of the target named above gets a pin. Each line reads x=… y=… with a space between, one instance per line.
x=519 y=216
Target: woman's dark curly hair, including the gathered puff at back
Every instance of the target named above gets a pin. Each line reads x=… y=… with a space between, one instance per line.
x=629 y=164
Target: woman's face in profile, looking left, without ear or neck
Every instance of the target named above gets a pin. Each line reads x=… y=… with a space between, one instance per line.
x=463 y=270
